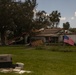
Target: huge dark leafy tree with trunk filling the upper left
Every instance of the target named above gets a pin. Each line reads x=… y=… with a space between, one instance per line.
x=16 y=16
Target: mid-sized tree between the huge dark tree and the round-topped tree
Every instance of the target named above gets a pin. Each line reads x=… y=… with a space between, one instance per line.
x=41 y=20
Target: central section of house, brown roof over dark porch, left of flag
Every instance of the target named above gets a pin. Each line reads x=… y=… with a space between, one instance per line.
x=50 y=35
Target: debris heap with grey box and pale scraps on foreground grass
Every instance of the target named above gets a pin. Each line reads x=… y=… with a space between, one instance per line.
x=7 y=66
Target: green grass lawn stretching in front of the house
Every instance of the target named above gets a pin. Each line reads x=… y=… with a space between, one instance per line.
x=43 y=62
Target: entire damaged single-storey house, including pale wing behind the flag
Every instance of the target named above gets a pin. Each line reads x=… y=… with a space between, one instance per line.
x=54 y=35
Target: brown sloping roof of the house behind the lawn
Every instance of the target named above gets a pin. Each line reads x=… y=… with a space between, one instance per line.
x=49 y=32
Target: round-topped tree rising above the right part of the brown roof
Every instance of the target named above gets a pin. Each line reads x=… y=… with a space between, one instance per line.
x=55 y=18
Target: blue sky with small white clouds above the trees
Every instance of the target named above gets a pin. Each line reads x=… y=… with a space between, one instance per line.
x=67 y=8
